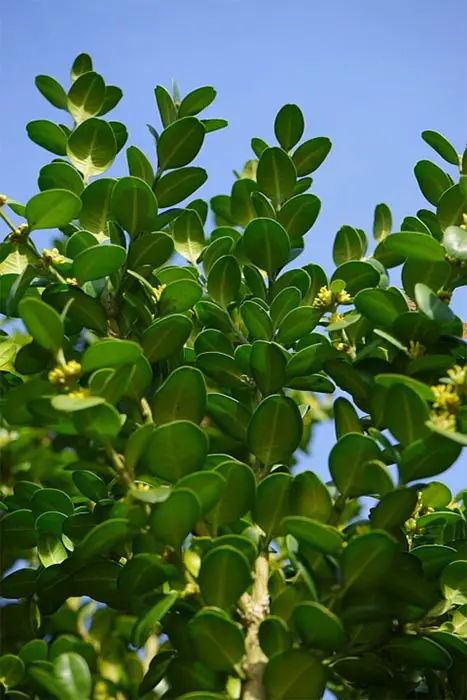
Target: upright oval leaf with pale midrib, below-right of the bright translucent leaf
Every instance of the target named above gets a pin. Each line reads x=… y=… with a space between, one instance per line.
x=134 y=205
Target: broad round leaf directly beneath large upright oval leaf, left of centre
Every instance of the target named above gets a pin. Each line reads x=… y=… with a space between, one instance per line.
x=176 y=449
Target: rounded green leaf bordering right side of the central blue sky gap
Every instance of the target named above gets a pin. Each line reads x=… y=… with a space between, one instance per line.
x=362 y=474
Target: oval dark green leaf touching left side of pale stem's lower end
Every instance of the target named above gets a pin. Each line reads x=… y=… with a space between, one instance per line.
x=219 y=642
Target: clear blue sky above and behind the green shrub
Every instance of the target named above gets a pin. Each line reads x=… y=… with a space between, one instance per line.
x=370 y=75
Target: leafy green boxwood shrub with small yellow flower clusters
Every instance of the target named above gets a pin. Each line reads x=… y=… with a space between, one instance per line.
x=162 y=371
